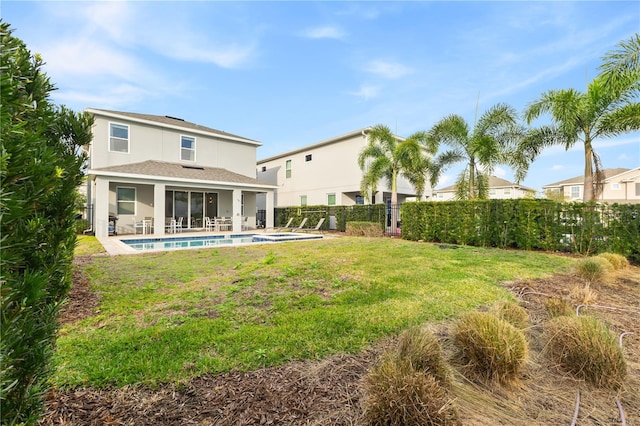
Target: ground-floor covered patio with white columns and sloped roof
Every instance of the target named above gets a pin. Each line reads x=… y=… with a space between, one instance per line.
x=156 y=198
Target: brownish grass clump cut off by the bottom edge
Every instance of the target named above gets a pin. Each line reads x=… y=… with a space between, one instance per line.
x=399 y=395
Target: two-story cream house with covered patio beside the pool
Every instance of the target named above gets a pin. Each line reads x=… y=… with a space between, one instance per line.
x=163 y=168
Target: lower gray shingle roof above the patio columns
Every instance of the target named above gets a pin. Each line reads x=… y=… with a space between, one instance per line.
x=182 y=171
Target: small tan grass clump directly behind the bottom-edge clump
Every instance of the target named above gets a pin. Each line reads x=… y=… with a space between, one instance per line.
x=420 y=348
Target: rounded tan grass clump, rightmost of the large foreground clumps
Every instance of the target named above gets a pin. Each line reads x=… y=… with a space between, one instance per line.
x=585 y=347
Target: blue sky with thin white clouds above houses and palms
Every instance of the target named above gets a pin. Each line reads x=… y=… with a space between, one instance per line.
x=290 y=74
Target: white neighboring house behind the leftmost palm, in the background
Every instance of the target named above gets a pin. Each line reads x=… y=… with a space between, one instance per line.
x=325 y=173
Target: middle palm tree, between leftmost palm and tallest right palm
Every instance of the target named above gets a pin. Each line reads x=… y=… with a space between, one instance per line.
x=489 y=143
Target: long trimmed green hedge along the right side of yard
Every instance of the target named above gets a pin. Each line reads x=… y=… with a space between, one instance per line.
x=584 y=228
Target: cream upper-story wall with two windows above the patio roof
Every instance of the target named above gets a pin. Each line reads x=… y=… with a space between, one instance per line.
x=120 y=140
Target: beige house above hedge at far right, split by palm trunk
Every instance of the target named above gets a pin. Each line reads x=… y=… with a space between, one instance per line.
x=620 y=186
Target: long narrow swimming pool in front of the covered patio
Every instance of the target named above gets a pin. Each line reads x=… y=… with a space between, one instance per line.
x=174 y=243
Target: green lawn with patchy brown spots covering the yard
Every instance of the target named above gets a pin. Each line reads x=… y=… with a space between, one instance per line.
x=165 y=317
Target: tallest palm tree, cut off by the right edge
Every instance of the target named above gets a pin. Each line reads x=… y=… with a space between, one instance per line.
x=607 y=109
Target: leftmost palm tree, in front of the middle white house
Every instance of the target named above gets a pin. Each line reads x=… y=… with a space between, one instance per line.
x=388 y=157
